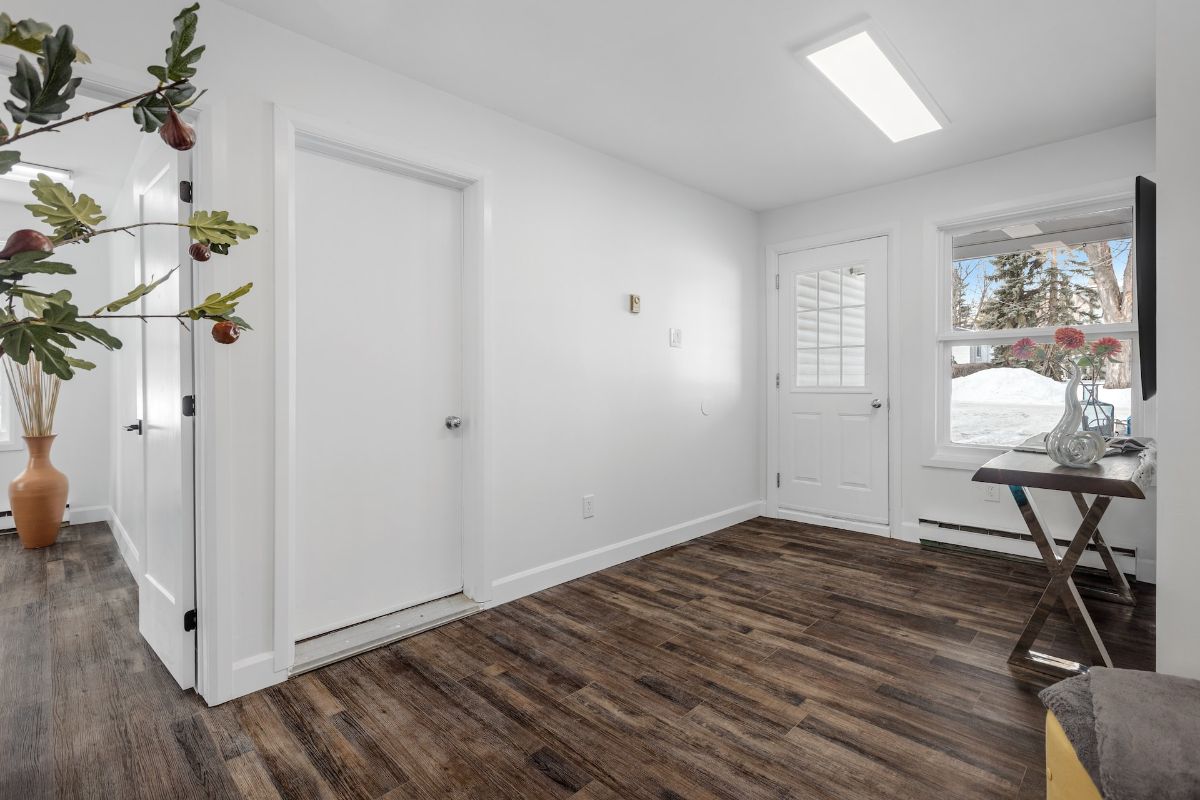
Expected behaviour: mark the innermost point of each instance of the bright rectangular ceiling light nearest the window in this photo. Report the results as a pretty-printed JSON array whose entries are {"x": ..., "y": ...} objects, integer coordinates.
[{"x": 869, "y": 71}]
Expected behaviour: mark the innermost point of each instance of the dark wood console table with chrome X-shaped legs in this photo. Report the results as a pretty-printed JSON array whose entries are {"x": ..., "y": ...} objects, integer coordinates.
[{"x": 1117, "y": 477}]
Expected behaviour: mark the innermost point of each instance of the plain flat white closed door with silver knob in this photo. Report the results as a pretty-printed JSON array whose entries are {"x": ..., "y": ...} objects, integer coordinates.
[{"x": 379, "y": 321}]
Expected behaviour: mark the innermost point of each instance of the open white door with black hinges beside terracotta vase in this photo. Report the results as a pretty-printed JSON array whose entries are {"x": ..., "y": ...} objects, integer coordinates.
[{"x": 167, "y": 586}]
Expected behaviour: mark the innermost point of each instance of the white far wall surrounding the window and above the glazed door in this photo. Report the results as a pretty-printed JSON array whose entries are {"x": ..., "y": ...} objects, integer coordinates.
[{"x": 913, "y": 207}]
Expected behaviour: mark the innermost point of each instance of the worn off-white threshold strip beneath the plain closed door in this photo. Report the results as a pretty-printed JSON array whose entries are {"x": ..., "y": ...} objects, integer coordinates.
[{"x": 326, "y": 649}]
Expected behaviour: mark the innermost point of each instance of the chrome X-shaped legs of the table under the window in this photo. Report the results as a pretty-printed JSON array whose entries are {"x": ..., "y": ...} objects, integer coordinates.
[{"x": 1061, "y": 588}]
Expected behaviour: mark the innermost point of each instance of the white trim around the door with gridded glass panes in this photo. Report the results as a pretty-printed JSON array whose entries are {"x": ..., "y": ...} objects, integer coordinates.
[{"x": 772, "y": 360}]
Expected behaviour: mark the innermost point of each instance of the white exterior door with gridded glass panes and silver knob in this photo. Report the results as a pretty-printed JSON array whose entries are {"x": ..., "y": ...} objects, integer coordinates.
[{"x": 833, "y": 368}]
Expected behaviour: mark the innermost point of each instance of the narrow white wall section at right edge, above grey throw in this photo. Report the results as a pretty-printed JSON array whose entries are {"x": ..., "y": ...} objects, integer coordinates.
[{"x": 1179, "y": 382}]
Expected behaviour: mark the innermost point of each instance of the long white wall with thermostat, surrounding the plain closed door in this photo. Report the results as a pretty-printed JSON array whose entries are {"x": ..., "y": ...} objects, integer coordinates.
[{"x": 587, "y": 399}]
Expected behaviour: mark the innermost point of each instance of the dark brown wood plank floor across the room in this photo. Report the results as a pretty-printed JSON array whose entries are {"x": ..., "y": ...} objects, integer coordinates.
[{"x": 769, "y": 660}]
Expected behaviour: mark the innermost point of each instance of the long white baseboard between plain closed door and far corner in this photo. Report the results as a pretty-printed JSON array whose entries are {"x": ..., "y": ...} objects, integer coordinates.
[{"x": 577, "y": 567}]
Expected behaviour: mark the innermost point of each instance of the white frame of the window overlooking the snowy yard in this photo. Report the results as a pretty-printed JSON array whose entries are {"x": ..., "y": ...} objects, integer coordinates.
[{"x": 950, "y": 454}]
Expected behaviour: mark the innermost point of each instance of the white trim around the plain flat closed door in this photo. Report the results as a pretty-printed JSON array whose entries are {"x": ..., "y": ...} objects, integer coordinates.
[{"x": 297, "y": 131}]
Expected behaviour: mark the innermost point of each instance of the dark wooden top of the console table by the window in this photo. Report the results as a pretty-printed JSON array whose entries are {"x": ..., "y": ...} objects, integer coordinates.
[{"x": 1118, "y": 477}]
